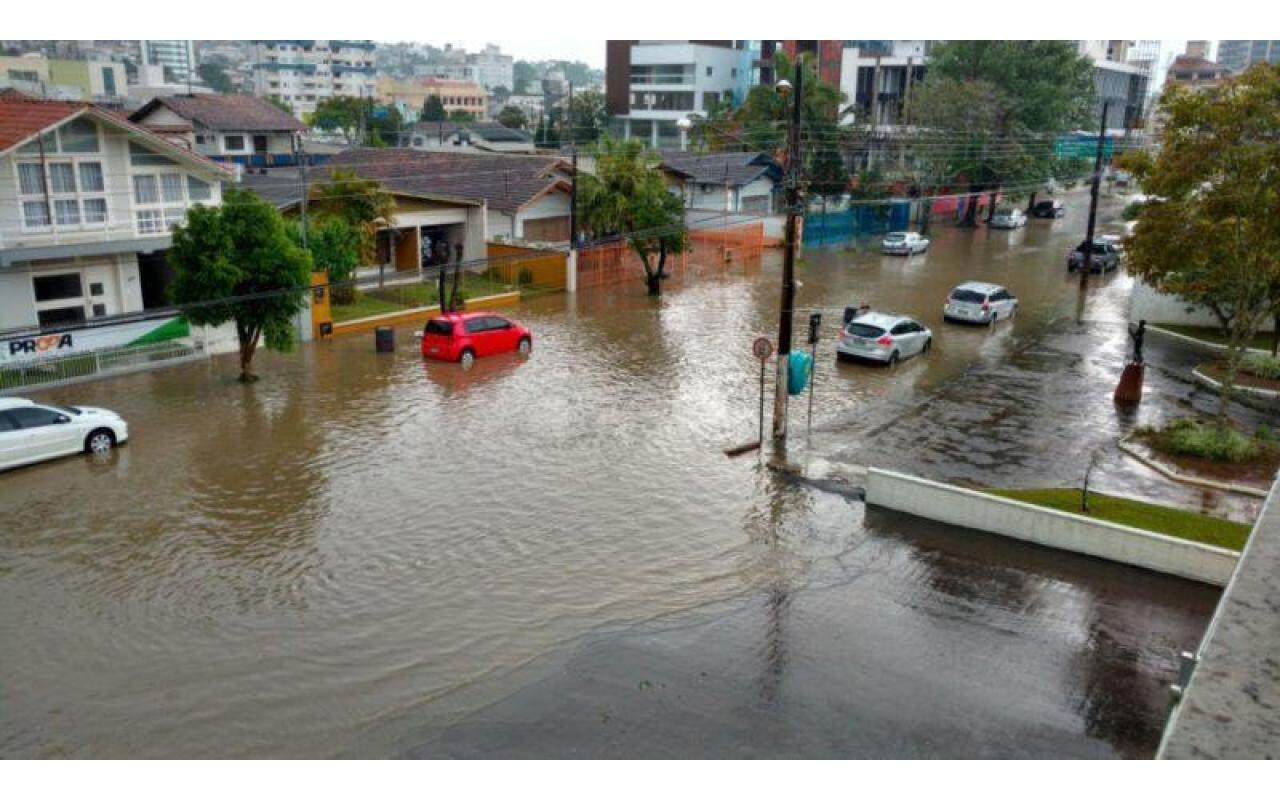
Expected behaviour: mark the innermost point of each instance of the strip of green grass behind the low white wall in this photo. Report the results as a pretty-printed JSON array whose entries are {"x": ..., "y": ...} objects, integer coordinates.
[{"x": 1160, "y": 519}]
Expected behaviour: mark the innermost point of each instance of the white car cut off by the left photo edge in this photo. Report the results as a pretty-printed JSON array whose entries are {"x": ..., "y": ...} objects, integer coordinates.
[{"x": 33, "y": 432}]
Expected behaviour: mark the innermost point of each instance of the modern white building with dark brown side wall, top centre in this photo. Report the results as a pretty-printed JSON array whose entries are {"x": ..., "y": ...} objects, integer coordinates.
[{"x": 652, "y": 85}]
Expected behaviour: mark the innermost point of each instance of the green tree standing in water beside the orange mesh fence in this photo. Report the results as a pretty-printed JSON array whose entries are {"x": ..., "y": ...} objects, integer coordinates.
[{"x": 629, "y": 198}]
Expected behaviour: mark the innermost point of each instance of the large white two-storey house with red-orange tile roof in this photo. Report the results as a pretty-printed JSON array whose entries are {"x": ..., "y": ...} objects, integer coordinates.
[{"x": 88, "y": 200}]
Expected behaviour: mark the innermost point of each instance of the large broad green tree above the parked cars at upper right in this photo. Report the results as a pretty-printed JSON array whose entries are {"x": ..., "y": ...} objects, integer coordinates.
[{"x": 991, "y": 112}]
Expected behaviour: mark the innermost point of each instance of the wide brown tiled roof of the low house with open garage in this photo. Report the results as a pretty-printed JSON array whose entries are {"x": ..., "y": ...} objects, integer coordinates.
[{"x": 506, "y": 182}]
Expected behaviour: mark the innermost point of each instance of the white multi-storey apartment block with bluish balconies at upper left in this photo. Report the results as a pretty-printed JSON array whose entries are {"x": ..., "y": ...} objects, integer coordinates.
[{"x": 305, "y": 72}]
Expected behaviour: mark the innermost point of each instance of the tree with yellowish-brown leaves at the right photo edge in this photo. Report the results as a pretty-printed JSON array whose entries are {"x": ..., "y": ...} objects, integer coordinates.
[{"x": 1212, "y": 232}]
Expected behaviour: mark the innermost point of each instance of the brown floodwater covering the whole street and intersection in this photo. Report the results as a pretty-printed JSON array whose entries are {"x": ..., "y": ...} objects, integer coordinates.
[{"x": 374, "y": 556}]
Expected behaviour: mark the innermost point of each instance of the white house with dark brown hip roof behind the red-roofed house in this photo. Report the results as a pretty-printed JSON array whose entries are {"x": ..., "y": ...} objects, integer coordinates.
[{"x": 228, "y": 129}]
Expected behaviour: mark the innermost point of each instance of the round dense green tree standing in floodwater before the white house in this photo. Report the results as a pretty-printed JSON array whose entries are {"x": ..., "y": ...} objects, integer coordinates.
[{"x": 236, "y": 263}]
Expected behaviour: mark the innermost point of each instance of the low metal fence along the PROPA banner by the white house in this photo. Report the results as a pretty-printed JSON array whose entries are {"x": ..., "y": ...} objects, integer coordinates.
[{"x": 95, "y": 364}]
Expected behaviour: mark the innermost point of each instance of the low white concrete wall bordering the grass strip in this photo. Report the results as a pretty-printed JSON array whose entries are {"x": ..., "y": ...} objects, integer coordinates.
[{"x": 1050, "y": 528}]
